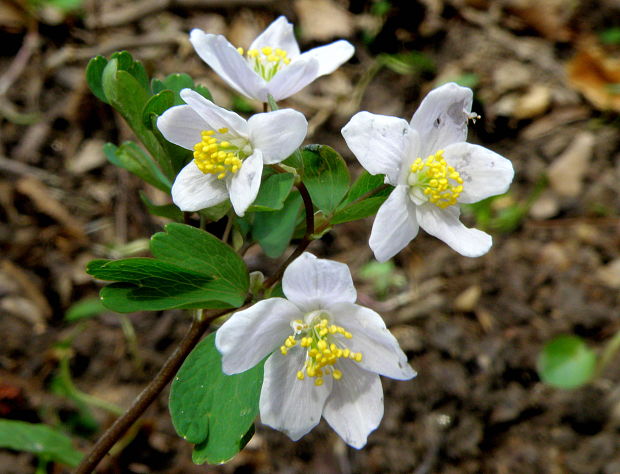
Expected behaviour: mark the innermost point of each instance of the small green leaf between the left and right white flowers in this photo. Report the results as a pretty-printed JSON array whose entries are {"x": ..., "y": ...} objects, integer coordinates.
[{"x": 325, "y": 175}]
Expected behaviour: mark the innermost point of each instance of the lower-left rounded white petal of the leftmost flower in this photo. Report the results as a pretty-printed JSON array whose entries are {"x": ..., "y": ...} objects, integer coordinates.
[{"x": 194, "y": 190}]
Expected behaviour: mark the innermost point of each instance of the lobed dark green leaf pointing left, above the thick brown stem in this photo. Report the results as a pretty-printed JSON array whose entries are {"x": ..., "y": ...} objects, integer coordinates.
[{"x": 191, "y": 269}]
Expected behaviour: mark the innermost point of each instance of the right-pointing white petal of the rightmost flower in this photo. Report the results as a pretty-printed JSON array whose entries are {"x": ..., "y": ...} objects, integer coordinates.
[{"x": 484, "y": 172}]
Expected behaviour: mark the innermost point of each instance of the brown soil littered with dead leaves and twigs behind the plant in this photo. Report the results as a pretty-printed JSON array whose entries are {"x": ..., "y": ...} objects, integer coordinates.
[{"x": 472, "y": 328}]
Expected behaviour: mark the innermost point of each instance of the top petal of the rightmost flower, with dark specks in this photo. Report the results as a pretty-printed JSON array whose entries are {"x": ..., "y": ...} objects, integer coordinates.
[{"x": 442, "y": 117}]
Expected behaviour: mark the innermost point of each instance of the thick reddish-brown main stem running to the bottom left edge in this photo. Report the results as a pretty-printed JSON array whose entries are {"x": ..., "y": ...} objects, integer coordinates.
[{"x": 150, "y": 392}]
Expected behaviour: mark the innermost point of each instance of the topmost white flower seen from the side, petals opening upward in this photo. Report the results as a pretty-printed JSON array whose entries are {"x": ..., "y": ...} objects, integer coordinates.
[{"x": 273, "y": 63}]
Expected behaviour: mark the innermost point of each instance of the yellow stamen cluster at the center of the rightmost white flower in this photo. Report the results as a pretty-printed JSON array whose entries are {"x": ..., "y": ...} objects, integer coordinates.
[{"x": 435, "y": 181}]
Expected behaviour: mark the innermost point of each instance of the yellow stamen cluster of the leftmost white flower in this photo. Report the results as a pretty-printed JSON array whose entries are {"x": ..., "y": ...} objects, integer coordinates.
[{"x": 214, "y": 155}]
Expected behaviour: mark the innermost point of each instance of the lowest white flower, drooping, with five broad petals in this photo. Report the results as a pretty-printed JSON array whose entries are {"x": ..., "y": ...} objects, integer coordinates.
[{"x": 328, "y": 352}]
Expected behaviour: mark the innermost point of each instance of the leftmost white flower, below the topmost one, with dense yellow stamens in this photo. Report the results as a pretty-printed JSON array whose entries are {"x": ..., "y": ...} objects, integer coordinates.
[{"x": 229, "y": 152}]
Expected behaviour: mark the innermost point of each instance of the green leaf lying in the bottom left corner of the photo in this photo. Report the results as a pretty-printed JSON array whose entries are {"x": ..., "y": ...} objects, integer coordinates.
[{"x": 39, "y": 439}]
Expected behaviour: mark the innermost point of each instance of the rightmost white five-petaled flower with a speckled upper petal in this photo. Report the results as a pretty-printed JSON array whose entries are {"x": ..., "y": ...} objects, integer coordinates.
[{"x": 433, "y": 169}]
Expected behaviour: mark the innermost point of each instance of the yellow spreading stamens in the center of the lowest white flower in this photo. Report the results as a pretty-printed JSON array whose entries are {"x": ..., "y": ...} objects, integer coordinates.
[{"x": 324, "y": 344}]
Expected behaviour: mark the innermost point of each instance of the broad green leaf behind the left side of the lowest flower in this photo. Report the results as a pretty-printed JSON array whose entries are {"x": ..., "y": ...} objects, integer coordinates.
[{"x": 213, "y": 410}]
